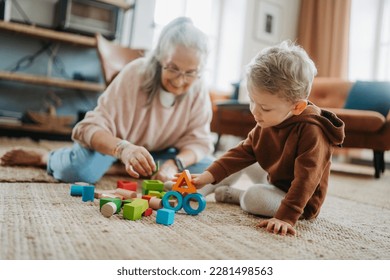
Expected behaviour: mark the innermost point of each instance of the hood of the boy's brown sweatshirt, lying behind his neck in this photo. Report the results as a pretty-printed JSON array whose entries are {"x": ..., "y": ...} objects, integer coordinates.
[{"x": 331, "y": 125}]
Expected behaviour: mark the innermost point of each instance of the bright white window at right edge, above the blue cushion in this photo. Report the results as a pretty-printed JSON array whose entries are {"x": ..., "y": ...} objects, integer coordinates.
[{"x": 370, "y": 40}]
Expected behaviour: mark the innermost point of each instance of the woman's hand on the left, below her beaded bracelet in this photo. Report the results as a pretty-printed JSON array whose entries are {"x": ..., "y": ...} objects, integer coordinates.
[{"x": 137, "y": 160}]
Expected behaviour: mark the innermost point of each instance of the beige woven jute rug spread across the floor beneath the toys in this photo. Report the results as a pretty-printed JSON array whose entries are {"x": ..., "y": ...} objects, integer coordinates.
[{"x": 40, "y": 220}]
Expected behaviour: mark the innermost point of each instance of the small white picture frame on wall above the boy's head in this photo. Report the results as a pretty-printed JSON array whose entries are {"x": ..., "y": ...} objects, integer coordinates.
[{"x": 268, "y": 21}]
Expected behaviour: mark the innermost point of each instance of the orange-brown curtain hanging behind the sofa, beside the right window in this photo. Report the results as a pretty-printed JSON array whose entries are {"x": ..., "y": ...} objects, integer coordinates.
[{"x": 324, "y": 33}]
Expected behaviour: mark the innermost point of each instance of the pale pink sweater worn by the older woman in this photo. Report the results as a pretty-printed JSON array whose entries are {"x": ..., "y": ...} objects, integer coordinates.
[{"x": 122, "y": 111}]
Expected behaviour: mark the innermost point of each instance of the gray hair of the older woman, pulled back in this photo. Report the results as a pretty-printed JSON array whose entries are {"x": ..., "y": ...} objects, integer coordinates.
[{"x": 180, "y": 31}]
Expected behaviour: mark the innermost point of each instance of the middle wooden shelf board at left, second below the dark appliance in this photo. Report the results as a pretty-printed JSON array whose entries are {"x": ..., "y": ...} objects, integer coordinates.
[{"x": 50, "y": 81}]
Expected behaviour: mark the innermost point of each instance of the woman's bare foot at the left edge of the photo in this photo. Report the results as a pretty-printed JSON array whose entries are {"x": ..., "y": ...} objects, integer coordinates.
[{"x": 25, "y": 157}]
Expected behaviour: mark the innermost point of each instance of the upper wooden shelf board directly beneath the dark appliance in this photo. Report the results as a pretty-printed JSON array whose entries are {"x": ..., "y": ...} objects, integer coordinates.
[{"x": 49, "y": 34}]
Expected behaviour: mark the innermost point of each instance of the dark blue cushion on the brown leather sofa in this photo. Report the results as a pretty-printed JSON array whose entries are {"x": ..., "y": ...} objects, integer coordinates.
[{"x": 369, "y": 95}]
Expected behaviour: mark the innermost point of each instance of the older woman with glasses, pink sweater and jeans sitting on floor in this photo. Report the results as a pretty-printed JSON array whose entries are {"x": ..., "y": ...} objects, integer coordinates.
[{"x": 156, "y": 110}]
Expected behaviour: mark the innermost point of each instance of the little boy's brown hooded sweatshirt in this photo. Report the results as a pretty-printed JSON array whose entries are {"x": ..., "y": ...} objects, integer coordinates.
[{"x": 297, "y": 156}]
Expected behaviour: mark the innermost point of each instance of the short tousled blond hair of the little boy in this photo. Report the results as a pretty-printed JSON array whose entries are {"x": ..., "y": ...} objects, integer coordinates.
[{"x": 284, "y": 69}]
